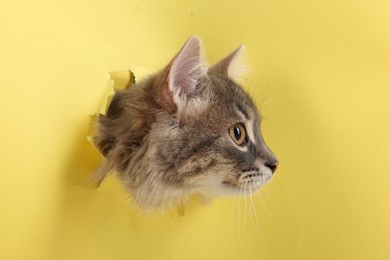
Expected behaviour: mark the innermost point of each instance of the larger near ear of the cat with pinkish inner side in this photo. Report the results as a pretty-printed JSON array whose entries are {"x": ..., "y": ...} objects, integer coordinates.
[{"x": 186, "y": 69}]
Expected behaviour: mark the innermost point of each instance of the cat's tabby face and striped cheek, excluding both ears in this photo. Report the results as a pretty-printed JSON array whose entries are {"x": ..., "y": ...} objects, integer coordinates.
[{"x": 221, "y": 149}]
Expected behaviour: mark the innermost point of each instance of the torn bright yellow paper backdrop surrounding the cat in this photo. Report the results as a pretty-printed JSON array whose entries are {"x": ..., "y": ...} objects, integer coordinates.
[{"x": 320, "y": 75}]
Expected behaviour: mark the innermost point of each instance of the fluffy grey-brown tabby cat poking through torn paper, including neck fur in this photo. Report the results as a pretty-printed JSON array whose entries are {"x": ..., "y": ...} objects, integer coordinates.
[{"x": 188, "y": 129}]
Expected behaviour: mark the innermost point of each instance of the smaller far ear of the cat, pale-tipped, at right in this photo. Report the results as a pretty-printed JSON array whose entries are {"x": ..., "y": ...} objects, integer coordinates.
[{"x": 233, "y": 65}]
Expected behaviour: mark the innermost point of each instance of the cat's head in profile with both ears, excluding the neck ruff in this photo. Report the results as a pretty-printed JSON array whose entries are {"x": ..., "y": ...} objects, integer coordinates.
[{"x": 211, "y": 136}]
